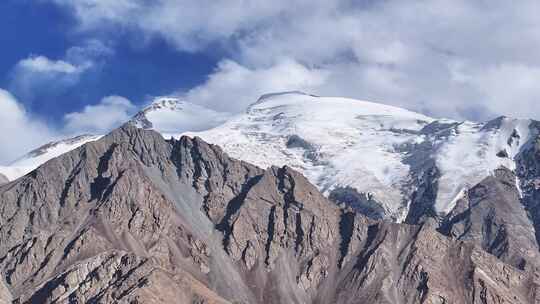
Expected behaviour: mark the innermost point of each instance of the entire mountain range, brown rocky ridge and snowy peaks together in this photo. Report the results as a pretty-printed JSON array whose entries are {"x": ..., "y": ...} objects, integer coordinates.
[{"x": 184, "y": 204}]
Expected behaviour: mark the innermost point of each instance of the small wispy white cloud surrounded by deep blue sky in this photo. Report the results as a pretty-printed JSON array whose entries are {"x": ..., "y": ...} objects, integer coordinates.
[{"x": 38, "y": 74}]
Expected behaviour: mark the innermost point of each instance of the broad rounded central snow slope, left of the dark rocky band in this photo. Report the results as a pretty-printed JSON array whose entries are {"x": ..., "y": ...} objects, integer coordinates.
[{"x": 335, "y": 142}]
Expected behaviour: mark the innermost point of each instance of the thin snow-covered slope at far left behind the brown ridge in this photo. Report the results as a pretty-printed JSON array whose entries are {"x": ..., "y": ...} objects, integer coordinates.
[{"x": 35, "y": 158}]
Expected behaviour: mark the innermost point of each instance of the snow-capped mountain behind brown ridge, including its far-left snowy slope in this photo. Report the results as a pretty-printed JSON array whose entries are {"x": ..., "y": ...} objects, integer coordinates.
[{"x": 386, "y": 161}]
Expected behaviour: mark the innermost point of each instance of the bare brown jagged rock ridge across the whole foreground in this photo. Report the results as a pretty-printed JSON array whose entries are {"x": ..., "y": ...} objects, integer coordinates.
[{"x": 132, "y": 218}]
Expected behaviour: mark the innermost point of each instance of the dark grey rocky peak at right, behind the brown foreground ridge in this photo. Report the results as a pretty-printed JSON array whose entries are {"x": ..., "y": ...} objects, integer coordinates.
[{"x": 491, "y": 216}]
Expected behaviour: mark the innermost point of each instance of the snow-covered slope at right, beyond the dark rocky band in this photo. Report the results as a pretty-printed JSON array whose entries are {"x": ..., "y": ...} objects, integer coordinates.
[{"x": 472, "y": 151}]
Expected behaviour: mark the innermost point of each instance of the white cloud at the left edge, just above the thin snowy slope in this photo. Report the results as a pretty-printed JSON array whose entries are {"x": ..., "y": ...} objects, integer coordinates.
[{"x": 20, "y": 132}]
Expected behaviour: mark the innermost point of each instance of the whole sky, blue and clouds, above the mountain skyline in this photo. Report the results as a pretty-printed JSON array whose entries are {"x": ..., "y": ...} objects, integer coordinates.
[{"x": 85, "y": 66}]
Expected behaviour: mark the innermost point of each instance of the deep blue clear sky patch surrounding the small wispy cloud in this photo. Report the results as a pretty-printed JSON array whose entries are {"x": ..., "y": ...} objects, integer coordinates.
[{"x": 133, "y": 71}]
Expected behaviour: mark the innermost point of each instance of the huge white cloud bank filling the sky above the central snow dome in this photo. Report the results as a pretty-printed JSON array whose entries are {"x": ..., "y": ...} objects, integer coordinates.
[{"x": 400, "y": 52}]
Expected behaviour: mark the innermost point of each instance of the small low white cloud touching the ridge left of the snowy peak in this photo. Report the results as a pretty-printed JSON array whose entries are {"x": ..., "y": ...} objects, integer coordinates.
[{"x": 109, "y": 113}]
